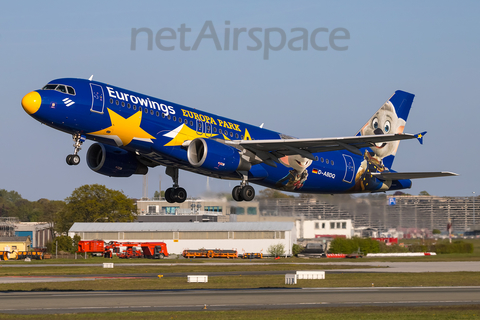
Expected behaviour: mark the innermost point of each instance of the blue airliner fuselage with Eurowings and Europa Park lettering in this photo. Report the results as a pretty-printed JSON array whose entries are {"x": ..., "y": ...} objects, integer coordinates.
[{"x": 103, "y": 113}]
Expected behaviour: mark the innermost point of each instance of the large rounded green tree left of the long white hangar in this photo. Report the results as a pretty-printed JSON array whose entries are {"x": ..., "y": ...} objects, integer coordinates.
[{"x": 94, "y": 203}]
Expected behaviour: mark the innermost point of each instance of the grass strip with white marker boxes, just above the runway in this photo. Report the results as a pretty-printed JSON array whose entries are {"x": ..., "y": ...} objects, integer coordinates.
[{"x": 258, "y": 281}]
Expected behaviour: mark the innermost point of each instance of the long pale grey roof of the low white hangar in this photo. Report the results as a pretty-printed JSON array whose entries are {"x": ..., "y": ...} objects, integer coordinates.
[{"x": 179, "y": 226}]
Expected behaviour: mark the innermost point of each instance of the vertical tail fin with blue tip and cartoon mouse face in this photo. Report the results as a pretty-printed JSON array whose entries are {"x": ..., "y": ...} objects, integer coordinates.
[{"x": 390, "y": 118}]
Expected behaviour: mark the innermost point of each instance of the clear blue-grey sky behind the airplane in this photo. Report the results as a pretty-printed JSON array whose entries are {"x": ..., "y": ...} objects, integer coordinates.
[{"x": 428, "y": 48}]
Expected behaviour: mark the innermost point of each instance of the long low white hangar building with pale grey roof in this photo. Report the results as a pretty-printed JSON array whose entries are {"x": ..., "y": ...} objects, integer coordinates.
[{"x": 178, "y": 236}]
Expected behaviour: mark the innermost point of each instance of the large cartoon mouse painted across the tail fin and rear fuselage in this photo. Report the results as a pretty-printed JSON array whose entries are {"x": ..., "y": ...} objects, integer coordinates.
[{"x": 384, "y": 121}]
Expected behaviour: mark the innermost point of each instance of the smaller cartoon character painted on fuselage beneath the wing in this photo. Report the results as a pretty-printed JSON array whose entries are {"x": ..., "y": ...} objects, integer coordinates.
[{"x": 295, "y": 177}]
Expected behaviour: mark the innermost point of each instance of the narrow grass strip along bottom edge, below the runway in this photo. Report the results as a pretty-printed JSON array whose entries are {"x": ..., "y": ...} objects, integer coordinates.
[{"x": 347, "y": 313}]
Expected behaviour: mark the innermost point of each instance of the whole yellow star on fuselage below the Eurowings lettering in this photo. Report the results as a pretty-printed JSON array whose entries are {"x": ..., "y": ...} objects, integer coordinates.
[{"x": 124, "y": 130}]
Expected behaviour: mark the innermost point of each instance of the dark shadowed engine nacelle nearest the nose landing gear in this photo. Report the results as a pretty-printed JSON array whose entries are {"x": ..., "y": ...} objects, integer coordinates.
[{"x": 113, "y": 161}]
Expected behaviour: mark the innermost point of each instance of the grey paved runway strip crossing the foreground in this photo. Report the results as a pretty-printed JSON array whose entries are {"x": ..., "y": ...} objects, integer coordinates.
[{"x": 249, "y": 299}]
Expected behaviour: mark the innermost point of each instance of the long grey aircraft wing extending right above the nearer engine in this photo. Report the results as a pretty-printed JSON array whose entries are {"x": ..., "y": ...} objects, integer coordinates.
[{"x": 269, "y": 151}]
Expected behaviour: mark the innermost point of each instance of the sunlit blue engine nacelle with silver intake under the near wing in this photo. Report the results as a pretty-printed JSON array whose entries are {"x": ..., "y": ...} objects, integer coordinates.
[{"x": 215, "y": 156}]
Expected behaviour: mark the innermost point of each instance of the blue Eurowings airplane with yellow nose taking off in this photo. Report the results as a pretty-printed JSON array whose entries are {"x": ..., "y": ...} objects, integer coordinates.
[{"x": 134, "y": 132}]
